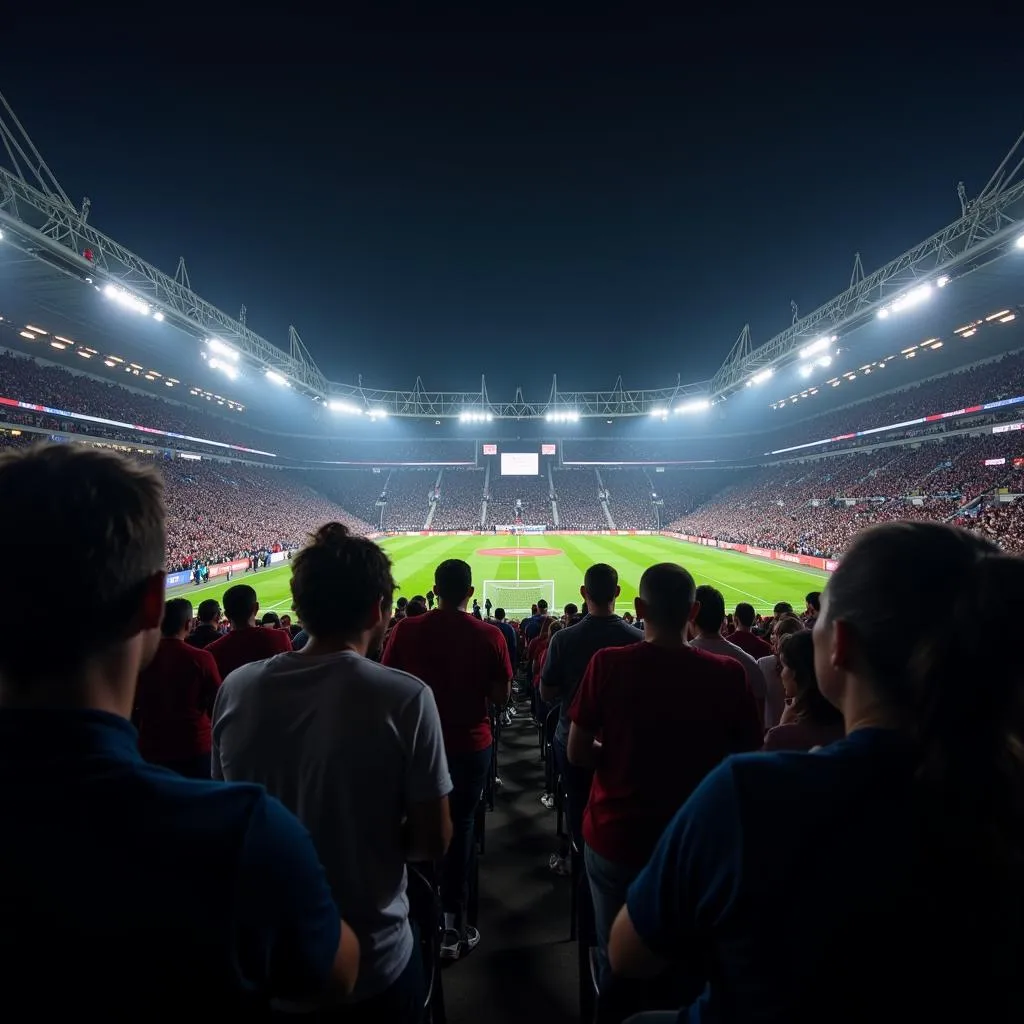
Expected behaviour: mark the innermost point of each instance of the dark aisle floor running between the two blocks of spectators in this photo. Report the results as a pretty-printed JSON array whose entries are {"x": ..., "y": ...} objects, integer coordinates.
[{"x": 524, "y": 971}]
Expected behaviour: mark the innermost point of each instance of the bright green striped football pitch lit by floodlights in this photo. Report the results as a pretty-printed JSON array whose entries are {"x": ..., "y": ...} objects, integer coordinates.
[{"x": 562, "y": 559}]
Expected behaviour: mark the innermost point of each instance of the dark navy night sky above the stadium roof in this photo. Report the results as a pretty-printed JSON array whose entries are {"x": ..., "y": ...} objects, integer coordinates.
[{"x": 486, "y": 199}]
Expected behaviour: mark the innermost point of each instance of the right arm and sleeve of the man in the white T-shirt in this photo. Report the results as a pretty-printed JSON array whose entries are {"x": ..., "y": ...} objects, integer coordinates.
[{"x": 429, "y": 822}]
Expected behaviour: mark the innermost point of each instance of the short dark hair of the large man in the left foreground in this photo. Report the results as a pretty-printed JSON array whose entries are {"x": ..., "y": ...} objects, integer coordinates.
[{"x": 92, "y": 519}]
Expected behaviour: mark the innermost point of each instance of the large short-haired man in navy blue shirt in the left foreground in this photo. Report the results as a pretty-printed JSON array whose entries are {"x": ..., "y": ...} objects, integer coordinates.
[{"x": 127, "y": 890}]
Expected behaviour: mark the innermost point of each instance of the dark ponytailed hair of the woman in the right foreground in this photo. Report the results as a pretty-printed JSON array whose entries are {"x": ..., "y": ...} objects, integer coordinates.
[{"x": 913, "y": 595}]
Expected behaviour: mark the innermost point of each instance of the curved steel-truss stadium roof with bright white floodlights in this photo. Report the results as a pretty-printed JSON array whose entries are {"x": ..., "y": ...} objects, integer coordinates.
[{"x": 54, "y": 257}]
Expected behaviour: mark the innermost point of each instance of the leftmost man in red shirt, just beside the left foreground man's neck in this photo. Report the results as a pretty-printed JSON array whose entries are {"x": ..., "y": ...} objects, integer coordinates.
[{"x": 175, "y": 699}]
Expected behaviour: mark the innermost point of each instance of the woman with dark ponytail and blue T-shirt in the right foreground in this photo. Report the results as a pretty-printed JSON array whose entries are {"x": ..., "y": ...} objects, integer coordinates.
[{"x": 881, "y": 878}]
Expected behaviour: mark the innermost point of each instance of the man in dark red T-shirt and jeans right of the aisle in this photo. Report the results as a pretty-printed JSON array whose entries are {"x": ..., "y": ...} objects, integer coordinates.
[{"x": 653, "y": 719}]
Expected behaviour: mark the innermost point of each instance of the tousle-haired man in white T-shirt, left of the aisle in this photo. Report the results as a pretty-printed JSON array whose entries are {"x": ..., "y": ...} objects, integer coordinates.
[{"x": 370, "y": 780}]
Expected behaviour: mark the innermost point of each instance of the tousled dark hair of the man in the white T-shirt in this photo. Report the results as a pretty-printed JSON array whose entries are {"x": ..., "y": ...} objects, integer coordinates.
[{"x": 336, "y": 579}]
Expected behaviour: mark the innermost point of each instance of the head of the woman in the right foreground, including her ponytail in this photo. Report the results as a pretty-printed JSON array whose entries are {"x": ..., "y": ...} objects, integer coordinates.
[{"x": 906, "y": 638}]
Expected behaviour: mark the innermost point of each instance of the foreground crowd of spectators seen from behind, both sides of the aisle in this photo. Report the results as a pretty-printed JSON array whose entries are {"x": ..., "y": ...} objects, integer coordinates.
[{"x": 253, "y": 842}]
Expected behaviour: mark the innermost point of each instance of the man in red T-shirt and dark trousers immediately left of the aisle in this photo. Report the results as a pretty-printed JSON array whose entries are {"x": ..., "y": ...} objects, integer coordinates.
[{"x": 466, "y": 663}]
